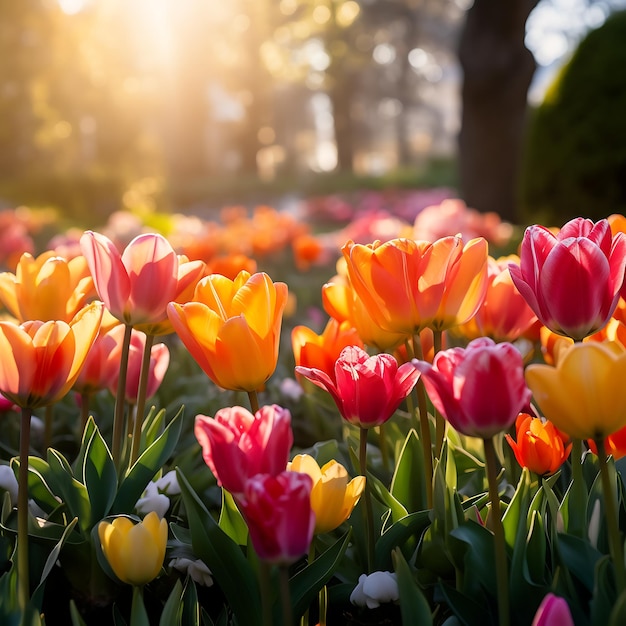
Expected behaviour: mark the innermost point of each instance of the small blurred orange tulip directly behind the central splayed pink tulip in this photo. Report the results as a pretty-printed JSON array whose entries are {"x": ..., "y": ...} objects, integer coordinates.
[{"x": 321, "y": 351}]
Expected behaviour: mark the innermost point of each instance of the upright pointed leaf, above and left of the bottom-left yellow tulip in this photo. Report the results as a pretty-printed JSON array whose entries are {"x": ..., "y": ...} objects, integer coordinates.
[{"x": 99, "y": 475}]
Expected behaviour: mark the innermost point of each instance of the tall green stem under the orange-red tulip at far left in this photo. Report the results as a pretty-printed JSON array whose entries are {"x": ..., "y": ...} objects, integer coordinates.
[{"x": 23, "y": 578}]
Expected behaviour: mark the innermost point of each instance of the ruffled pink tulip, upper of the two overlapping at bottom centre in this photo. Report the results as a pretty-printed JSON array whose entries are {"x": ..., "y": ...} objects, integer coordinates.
[{"x": 236, "y": 445}]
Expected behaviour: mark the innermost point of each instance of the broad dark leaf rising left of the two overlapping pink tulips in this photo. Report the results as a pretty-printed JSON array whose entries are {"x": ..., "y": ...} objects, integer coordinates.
[{"x": 224, "y": 558}]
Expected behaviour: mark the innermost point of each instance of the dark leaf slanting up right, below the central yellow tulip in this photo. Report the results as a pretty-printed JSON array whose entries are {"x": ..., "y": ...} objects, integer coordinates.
[{"x": 306, "y": 584}]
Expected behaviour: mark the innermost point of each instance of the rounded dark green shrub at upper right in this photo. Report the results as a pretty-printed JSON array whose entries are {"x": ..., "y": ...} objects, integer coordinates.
[{"x": 575, "y": 157}]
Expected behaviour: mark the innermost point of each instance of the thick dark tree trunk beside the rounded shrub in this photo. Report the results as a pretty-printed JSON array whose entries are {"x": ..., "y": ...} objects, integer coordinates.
[{"x": 497, "y": 70}]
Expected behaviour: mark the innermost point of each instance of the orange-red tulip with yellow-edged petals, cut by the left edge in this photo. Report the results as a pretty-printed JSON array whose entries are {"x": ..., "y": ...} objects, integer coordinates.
[{"x": 42, "y": 360}]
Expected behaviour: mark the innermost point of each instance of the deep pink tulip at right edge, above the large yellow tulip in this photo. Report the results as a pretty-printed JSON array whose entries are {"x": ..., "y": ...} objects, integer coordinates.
[{"x": 572, "y": 280}]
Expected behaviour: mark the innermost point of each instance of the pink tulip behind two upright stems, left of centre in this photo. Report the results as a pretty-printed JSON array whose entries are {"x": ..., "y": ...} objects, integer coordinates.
[{"x": 159, "y": 362}]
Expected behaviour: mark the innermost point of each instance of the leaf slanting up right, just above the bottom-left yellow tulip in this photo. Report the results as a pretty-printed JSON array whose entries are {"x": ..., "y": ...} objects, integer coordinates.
[{"x": 146, "y": 466}]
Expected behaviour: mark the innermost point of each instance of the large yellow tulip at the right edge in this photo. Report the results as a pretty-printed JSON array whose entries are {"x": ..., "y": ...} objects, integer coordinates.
[{"x": 583, "y": 395}]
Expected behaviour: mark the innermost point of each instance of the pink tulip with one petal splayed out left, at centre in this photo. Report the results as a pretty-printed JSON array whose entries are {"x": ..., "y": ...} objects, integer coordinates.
[{"x": 367, "y": 389}]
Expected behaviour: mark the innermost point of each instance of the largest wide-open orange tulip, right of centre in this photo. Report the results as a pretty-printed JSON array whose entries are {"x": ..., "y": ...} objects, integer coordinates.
[{"x": 407, "y": 285}]
